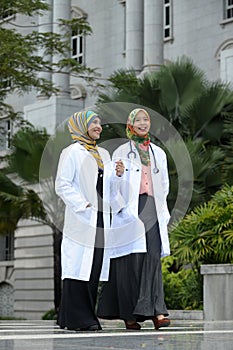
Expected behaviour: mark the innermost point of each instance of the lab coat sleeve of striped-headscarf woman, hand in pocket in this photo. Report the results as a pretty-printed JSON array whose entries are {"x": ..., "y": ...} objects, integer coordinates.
[{"x": 64, "y": 186}]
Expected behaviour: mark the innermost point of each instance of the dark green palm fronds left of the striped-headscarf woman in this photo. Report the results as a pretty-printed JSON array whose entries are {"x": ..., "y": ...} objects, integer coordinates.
[{"x": 18, "y": 201}]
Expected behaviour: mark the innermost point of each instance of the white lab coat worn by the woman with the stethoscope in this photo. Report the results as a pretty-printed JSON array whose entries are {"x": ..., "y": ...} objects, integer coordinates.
[{"x": 128, "y": 232}]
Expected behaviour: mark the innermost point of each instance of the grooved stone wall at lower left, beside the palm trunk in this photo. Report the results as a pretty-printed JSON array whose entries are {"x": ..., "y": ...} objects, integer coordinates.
[{"x": 33, "y": 270}]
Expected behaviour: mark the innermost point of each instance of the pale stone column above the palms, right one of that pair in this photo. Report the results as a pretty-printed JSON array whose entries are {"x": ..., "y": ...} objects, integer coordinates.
[{"x": 153, "y": 35}]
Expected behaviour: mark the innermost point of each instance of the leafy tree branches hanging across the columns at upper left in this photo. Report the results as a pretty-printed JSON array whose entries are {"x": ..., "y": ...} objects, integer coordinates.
[{"x": 24, "y": 56}]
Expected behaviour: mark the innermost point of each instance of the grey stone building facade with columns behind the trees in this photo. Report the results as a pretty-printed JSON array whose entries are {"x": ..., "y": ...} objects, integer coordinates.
[{"x": 131, "y": 34}]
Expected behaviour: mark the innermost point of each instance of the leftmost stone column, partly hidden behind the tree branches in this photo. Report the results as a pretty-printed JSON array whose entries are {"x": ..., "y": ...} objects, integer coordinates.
[{"x": 45, "y": 23}]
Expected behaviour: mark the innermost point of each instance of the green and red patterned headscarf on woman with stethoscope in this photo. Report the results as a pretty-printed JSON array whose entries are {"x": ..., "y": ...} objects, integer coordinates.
[{"x": 141, "y": 143}]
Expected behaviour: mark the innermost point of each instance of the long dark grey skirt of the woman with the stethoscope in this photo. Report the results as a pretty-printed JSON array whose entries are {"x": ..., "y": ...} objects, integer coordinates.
[{"x": 135, "y": 287}]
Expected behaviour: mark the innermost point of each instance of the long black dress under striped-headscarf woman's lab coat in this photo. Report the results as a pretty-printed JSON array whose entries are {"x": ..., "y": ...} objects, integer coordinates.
[{"x": 78, "y": 302}]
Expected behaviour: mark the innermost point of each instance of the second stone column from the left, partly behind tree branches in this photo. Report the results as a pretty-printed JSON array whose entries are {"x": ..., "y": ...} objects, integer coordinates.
[{"x": 61, "y": 10}]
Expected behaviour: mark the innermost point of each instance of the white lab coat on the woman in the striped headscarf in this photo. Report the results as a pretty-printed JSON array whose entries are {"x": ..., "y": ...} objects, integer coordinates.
[{"x": 76, "y": 184}]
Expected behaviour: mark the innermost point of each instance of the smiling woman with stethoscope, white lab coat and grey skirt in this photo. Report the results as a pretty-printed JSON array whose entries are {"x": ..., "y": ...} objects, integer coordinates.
[{"x": 134, "y": 292}]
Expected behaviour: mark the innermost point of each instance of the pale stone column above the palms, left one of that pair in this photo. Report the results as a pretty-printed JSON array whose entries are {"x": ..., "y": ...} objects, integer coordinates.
[{"x": 134, "y": 34}]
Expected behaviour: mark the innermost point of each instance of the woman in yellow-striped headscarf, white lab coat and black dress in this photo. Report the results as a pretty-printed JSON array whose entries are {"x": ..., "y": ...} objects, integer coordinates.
[{"x": 81, "y": 182}]
